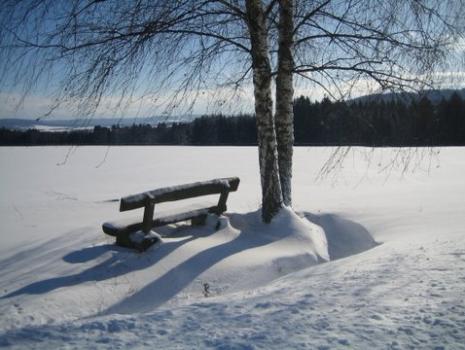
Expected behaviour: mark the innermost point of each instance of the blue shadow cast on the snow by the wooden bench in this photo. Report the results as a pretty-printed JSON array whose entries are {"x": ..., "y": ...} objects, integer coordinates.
[{"x": 121, "y": 262}]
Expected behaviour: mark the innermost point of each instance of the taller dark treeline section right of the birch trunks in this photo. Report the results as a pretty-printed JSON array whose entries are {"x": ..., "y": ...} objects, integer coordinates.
[{"x": 381, "y": 123}]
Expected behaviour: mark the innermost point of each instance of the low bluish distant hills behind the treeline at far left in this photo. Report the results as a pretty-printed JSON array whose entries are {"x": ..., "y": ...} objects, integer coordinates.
[{"x": 88, "y": 123}]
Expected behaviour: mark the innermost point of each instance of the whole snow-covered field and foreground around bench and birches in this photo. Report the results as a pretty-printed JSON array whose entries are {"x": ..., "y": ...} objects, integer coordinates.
[{"x": 374, "y": 258}]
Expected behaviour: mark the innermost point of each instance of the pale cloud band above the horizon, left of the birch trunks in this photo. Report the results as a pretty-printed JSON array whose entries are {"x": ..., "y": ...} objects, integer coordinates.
[{"x": 12, "y": 105}]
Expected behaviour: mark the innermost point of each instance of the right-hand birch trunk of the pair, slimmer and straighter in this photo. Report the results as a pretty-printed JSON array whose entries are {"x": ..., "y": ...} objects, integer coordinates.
[{"x": 284, "y": 98}]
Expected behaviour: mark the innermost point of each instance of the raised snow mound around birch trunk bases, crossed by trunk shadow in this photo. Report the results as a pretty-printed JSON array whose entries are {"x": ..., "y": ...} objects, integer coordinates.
[{"x": 243, "y": 254}]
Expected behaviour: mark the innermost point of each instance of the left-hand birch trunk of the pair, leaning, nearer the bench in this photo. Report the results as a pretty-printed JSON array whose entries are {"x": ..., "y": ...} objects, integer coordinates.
[{"x": 272, "y": 199}]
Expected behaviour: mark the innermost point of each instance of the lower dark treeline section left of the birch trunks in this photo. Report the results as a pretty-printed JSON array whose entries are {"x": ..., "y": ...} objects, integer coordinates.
[{"x": 206, "y": 130}]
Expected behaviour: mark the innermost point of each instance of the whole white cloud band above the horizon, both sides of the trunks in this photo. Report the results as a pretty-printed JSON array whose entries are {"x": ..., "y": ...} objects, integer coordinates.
[{"x": 208, "y": 101}]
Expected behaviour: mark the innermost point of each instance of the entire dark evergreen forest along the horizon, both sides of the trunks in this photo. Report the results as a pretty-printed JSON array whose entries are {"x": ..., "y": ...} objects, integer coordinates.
[{"x": 417, "y": 122}]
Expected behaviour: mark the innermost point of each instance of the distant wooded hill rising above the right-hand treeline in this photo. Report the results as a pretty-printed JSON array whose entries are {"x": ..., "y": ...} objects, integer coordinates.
[{"x": 435, "y": 96}]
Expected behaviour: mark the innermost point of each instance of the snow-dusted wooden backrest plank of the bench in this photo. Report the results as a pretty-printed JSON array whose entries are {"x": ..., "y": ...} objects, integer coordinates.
[{"x": 179, "y": 192}]
